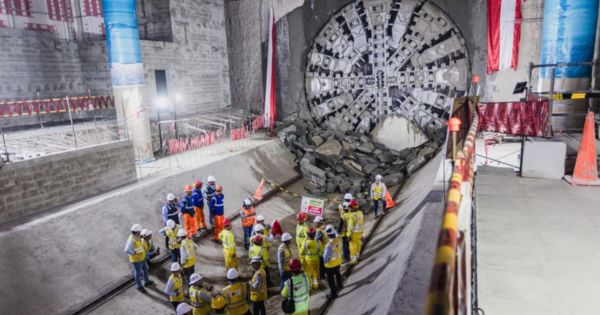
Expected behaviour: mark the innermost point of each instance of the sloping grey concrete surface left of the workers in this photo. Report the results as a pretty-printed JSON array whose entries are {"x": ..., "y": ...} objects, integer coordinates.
[{"x": 67, "y": 257}]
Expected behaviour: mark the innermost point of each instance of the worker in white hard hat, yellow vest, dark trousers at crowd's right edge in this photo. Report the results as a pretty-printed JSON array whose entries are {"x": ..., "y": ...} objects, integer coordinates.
[{"x": 333, "y": 259}]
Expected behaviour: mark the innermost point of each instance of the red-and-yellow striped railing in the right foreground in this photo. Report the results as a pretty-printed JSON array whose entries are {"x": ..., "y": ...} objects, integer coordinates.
[{"x": 449, "y": 290}]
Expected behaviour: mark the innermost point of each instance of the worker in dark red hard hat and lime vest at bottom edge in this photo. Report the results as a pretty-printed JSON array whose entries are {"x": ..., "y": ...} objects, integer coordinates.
[{"x": 300, "y": 284}]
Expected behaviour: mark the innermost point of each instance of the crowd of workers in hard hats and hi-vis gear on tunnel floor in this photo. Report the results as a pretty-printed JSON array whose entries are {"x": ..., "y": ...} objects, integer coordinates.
[{"x": 321, "y": 250}]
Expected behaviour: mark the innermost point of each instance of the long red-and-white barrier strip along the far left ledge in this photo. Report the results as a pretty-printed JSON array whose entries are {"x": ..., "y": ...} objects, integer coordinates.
[{"x": 55, "y": 105}]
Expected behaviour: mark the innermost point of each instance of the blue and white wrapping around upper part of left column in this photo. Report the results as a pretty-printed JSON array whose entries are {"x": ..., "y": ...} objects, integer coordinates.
[{"x": 123, "y": 42}]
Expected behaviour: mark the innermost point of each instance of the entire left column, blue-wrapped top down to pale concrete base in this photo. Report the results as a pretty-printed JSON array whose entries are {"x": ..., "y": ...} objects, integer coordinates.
[{"x": 127, "y": 73}]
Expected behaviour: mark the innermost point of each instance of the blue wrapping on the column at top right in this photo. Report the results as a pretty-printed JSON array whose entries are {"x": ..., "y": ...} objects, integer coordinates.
[{"x": 569, "y": 33}]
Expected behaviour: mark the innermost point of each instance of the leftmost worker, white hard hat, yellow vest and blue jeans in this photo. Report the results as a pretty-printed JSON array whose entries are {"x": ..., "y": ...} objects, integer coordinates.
[{"x": 137, "y": 256}]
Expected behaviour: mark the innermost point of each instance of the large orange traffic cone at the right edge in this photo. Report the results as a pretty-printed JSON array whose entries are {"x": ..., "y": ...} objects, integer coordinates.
[{"x": 586, "y": 166}]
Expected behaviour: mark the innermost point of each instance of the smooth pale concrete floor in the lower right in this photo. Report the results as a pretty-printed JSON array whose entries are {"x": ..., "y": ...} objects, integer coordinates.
[{"x": 537, "y": 245}]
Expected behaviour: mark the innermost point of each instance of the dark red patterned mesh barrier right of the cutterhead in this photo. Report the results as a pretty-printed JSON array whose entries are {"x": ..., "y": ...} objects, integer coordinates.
[{"x": 514, "y": 118}]
